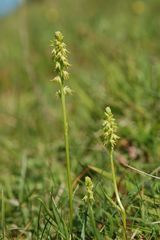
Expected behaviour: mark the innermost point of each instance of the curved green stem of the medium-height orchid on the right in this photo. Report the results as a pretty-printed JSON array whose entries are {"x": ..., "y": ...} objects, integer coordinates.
[{"x": 123, "y": 213}]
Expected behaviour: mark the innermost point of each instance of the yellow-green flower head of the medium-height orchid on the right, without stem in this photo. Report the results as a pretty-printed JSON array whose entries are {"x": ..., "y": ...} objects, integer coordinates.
[{"x": 110, "y": 128}]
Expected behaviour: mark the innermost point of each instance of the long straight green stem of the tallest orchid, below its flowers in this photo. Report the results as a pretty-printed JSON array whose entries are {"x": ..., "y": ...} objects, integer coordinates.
[{"x": 65, "y": 122}]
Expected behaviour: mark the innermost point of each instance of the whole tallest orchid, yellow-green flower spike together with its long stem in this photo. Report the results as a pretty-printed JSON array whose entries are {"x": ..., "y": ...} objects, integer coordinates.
[{"x": 61, "y": 65}]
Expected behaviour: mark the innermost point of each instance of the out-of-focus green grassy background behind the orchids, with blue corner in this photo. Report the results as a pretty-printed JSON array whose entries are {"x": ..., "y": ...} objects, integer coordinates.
[{"x": 115, "y": 57}]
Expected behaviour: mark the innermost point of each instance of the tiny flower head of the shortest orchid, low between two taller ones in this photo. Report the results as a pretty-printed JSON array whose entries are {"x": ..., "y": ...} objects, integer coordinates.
[{"x": 89, "y": 190}]
